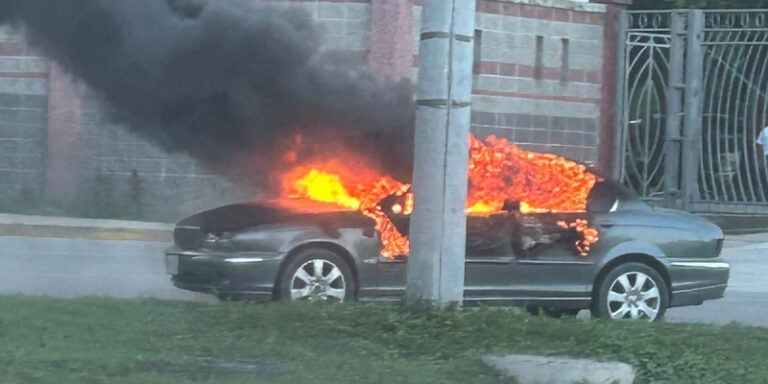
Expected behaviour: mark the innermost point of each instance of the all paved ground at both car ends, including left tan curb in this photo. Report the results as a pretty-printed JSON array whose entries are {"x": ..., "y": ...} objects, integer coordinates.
[{"x": 66, "y": 257}]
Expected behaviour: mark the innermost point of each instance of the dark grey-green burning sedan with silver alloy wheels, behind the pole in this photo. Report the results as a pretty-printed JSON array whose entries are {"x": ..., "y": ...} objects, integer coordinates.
[{"x": 646, "y": 259}]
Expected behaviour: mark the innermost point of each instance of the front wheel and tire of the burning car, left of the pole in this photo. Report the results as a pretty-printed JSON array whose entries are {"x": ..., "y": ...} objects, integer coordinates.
[{"x": 317, "y": 275}]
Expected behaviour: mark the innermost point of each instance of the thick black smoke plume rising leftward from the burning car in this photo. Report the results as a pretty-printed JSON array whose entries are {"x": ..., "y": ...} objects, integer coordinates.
[{"x": 228, "y": 82}]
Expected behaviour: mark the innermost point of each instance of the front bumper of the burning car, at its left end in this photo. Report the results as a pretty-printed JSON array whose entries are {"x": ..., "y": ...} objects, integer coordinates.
[{"x": 249, "y": 275}]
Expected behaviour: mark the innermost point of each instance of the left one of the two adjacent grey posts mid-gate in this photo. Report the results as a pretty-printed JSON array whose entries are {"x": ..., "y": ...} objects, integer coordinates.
[{"x": 675, "y": 87}]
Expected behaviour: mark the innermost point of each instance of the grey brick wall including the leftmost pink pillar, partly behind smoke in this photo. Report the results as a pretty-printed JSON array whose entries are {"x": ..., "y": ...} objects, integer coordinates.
[{"x": 116, "y": 171}]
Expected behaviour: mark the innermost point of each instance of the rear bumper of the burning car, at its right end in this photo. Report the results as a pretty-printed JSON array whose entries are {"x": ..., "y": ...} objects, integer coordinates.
[{"x": 697, "y": 280}]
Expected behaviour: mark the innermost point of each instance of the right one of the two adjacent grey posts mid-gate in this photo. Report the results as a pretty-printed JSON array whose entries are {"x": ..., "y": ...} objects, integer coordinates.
[{"x": 694, "y": 68}]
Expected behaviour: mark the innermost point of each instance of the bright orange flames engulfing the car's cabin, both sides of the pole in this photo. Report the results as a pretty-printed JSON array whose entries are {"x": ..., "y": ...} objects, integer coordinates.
[{"x": 498, "y": 171}]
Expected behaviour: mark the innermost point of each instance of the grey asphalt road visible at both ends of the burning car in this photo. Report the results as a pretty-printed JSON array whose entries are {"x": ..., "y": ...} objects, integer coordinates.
[{"x": 61, "y": 267}]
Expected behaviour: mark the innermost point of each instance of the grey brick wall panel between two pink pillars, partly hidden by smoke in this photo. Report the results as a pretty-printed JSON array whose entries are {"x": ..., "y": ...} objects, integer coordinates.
[{"x": 116, "y": 165}]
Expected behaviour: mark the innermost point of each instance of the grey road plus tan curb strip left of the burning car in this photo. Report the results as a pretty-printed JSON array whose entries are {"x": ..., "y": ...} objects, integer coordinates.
[{"x": 66, "y": 257}]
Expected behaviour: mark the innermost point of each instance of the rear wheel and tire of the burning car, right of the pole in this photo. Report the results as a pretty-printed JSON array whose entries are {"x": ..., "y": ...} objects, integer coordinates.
[{"x": 631, "y": 291}]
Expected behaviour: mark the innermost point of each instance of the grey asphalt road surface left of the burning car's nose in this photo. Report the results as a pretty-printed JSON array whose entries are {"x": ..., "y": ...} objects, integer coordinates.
[{"x": 66, "y": 268}]
